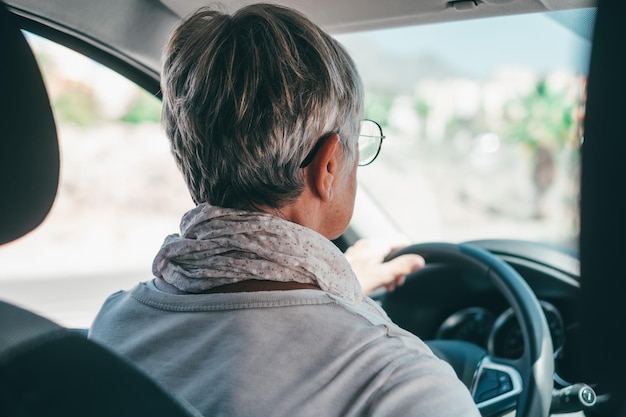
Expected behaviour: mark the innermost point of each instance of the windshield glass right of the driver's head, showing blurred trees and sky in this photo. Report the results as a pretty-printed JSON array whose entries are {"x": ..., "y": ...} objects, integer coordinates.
[{"x": 483, "y": 131}]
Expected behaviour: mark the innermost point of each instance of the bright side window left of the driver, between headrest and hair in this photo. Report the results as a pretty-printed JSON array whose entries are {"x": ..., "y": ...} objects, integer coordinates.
[{"x": 119, "y": 195}]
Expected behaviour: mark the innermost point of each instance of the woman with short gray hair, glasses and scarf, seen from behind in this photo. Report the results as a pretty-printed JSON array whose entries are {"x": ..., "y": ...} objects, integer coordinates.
[{"x": 253, "y": 311}]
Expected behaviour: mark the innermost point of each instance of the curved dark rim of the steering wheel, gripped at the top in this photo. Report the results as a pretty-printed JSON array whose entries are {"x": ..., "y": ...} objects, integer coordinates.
[{"x": 536, "y": 366}]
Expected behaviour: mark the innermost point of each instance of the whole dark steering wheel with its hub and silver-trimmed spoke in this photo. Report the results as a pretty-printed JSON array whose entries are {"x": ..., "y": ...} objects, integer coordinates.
[{"x": 497, "y": 384}]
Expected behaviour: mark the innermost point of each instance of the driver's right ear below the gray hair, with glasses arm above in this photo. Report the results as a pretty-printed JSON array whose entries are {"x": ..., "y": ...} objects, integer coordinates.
[{"x": 325, "y": 167}]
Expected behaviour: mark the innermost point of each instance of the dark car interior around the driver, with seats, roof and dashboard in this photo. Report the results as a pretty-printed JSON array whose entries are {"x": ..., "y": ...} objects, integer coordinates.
[{"x": 49, "y": 369}]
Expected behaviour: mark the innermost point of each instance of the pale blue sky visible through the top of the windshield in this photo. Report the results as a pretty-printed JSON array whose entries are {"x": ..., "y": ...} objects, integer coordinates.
[{"x": 534, "y": 40}]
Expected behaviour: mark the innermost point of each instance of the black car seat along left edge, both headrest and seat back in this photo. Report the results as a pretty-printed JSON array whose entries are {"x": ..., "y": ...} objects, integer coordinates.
[{"x": 45, "y": 369}]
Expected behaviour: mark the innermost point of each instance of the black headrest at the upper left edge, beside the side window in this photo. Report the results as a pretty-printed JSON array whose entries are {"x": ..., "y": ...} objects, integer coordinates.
[{"x": 29, "y": 150}]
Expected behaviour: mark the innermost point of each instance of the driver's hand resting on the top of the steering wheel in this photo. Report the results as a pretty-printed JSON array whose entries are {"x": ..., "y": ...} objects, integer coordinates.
[{"x": 366, "y": 257}]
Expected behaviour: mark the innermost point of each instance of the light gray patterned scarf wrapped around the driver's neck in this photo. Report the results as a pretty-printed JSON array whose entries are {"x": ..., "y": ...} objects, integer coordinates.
[{"x": 219, "y": 246}]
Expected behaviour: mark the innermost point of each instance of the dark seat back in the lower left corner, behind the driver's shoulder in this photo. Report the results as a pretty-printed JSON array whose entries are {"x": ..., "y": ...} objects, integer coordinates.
[{"x": 47, "y": 370}]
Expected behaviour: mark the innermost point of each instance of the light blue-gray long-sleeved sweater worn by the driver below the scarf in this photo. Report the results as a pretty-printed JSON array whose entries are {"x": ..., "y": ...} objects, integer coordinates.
[{"x": 280, "y": 353}]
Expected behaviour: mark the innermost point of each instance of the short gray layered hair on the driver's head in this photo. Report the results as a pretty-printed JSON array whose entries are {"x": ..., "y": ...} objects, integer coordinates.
[{"x": 247, "y": 96}]
